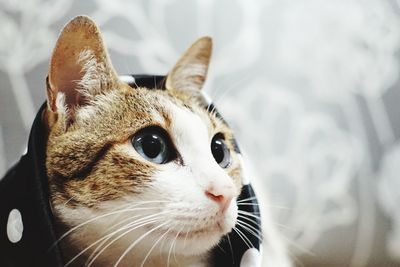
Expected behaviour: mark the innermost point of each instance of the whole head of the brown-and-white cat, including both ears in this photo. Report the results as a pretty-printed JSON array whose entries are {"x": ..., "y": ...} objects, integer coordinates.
[{"x": 135, "y": 171}]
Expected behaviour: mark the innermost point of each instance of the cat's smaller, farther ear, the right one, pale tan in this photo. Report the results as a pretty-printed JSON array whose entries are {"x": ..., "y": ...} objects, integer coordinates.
[{"x": 190, "y": 72}]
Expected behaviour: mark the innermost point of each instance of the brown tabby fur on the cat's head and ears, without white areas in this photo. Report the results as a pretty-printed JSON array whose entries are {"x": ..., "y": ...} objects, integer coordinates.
[{"x": 87, "y": 133}]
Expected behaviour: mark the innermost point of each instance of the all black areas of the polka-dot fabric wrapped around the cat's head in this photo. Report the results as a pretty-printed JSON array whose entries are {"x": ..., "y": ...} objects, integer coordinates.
[{"x": 25, "y": 188}]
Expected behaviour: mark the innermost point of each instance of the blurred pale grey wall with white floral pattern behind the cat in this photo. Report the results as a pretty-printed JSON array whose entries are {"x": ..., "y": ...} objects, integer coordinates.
[{"x": 311, "y": 88}]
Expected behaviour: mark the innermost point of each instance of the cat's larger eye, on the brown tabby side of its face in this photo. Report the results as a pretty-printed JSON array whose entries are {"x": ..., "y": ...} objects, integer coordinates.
[{"x": 153, "y": 145}]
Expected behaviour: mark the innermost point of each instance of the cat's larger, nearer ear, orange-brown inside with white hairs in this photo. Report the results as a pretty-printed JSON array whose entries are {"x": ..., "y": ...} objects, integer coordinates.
[{"x": 80, "y": 67}]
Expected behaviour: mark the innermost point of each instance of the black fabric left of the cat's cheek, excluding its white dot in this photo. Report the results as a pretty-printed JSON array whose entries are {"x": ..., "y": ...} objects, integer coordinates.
[{"x": 25, "y": 188}]
